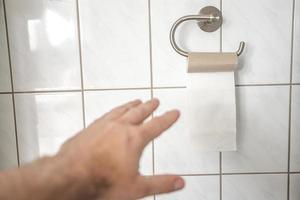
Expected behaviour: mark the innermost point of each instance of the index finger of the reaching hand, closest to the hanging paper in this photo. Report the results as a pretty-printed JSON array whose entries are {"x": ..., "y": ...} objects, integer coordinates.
[{"x": 157, "y": 125}]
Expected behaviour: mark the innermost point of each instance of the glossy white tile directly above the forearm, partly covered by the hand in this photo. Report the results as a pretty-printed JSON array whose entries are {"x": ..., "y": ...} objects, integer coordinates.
[{"x": 45, "y": 121}]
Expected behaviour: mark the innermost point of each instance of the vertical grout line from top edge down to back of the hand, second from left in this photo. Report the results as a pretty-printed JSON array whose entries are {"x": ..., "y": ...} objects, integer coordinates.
[{"x": 80, "y": 63}]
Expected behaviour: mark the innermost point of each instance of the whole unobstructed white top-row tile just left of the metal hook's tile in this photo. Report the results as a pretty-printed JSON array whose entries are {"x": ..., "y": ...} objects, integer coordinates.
[{"x": 115, "y": 43}]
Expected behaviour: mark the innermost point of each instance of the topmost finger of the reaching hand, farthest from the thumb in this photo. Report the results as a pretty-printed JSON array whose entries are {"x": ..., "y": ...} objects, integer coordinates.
[{"x": 120, "y": 110}]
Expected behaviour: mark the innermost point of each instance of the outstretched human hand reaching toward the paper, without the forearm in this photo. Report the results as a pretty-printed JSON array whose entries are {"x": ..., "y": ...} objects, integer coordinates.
[{"x": 106, "y": 154}]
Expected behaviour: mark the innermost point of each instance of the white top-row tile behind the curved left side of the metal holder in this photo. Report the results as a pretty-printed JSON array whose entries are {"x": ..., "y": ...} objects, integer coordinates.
[{"x": 169, "y": 68}]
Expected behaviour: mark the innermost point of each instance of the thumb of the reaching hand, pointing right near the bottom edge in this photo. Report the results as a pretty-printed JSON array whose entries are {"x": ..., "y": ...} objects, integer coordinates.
[{"x": 150, "y": 185}]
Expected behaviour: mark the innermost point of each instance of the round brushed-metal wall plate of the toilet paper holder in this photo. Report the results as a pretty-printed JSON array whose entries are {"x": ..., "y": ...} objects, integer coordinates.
[{"x": 215, "y": 21}]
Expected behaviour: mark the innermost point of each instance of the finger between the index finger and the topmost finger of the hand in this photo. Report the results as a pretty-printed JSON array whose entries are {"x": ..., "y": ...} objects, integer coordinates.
[{"x": 139, "y": 113}]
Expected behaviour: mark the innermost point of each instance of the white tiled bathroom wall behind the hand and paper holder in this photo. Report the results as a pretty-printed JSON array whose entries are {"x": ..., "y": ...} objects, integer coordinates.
[{"x": 70, "y": 61}]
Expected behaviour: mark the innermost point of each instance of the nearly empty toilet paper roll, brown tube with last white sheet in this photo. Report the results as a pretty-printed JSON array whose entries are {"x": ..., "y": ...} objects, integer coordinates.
[{"x": 211, "y": 106}]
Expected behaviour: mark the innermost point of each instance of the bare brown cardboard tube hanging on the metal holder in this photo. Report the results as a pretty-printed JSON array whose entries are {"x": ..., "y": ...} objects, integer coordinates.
[{"x": 212, "y": 62}]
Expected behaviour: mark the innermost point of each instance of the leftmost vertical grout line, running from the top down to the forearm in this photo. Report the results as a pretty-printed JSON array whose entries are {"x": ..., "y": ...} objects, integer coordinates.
[{"x": 12, "y": 83}]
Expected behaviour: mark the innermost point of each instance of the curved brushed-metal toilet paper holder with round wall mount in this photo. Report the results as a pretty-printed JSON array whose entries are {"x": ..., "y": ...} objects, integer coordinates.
[{"x": 209, "y": 19}]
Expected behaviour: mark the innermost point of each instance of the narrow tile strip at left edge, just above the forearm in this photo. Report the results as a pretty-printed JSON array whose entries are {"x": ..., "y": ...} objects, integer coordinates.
[{"x": 8, "y": 148}]
